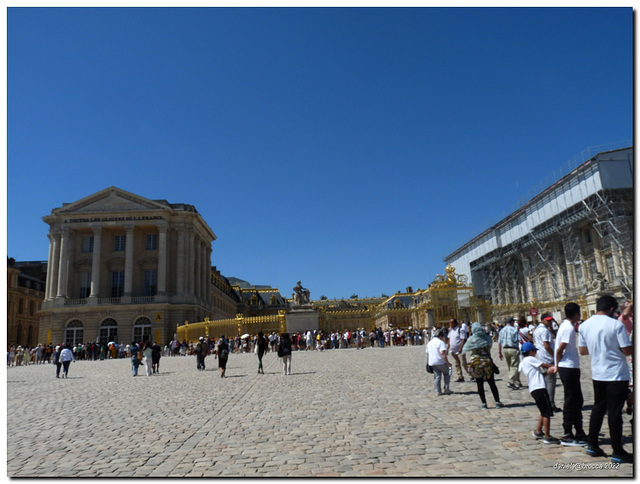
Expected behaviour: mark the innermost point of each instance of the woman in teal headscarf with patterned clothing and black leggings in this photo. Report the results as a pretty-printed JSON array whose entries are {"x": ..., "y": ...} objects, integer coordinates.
[{"x": 480, "y": 363}]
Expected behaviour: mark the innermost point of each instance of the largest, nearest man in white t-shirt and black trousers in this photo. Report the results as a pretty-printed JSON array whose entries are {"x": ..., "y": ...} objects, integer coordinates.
[{"x": 606, "y": 340}]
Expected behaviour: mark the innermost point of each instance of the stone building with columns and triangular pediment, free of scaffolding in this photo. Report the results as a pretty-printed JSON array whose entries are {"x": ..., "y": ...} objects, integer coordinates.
[{"x": 123, "y": 268}]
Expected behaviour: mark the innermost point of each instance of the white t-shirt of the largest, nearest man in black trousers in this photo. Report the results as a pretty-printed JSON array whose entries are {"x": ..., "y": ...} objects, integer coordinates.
[{"x": 603, "y": 337}]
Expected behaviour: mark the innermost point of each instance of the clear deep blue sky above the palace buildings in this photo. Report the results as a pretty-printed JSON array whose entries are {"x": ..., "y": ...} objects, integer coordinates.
[{"x": 351, "y": 149}]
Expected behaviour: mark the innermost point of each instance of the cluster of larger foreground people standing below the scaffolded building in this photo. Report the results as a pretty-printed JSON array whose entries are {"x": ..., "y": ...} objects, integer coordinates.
[{"x": 541, "y": 352}]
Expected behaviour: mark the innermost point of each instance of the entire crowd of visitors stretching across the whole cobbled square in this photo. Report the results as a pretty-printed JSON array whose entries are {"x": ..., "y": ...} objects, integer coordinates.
[{"x": 540, "y": 351}]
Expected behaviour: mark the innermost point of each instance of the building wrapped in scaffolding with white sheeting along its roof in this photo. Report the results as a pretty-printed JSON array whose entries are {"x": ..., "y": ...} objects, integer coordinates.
[{"x": 571, "y": 242}]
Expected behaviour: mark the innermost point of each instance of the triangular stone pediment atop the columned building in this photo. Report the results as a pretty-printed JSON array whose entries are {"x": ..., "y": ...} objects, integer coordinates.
[{"x": 111, "y": 200}]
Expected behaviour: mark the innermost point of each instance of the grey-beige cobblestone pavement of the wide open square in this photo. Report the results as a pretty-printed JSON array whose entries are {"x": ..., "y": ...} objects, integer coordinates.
[{"x": 346, "y": 412}]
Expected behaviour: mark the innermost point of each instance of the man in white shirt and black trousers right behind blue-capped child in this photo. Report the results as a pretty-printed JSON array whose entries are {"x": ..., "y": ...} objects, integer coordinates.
[{"x": 568, "y": 363}]
